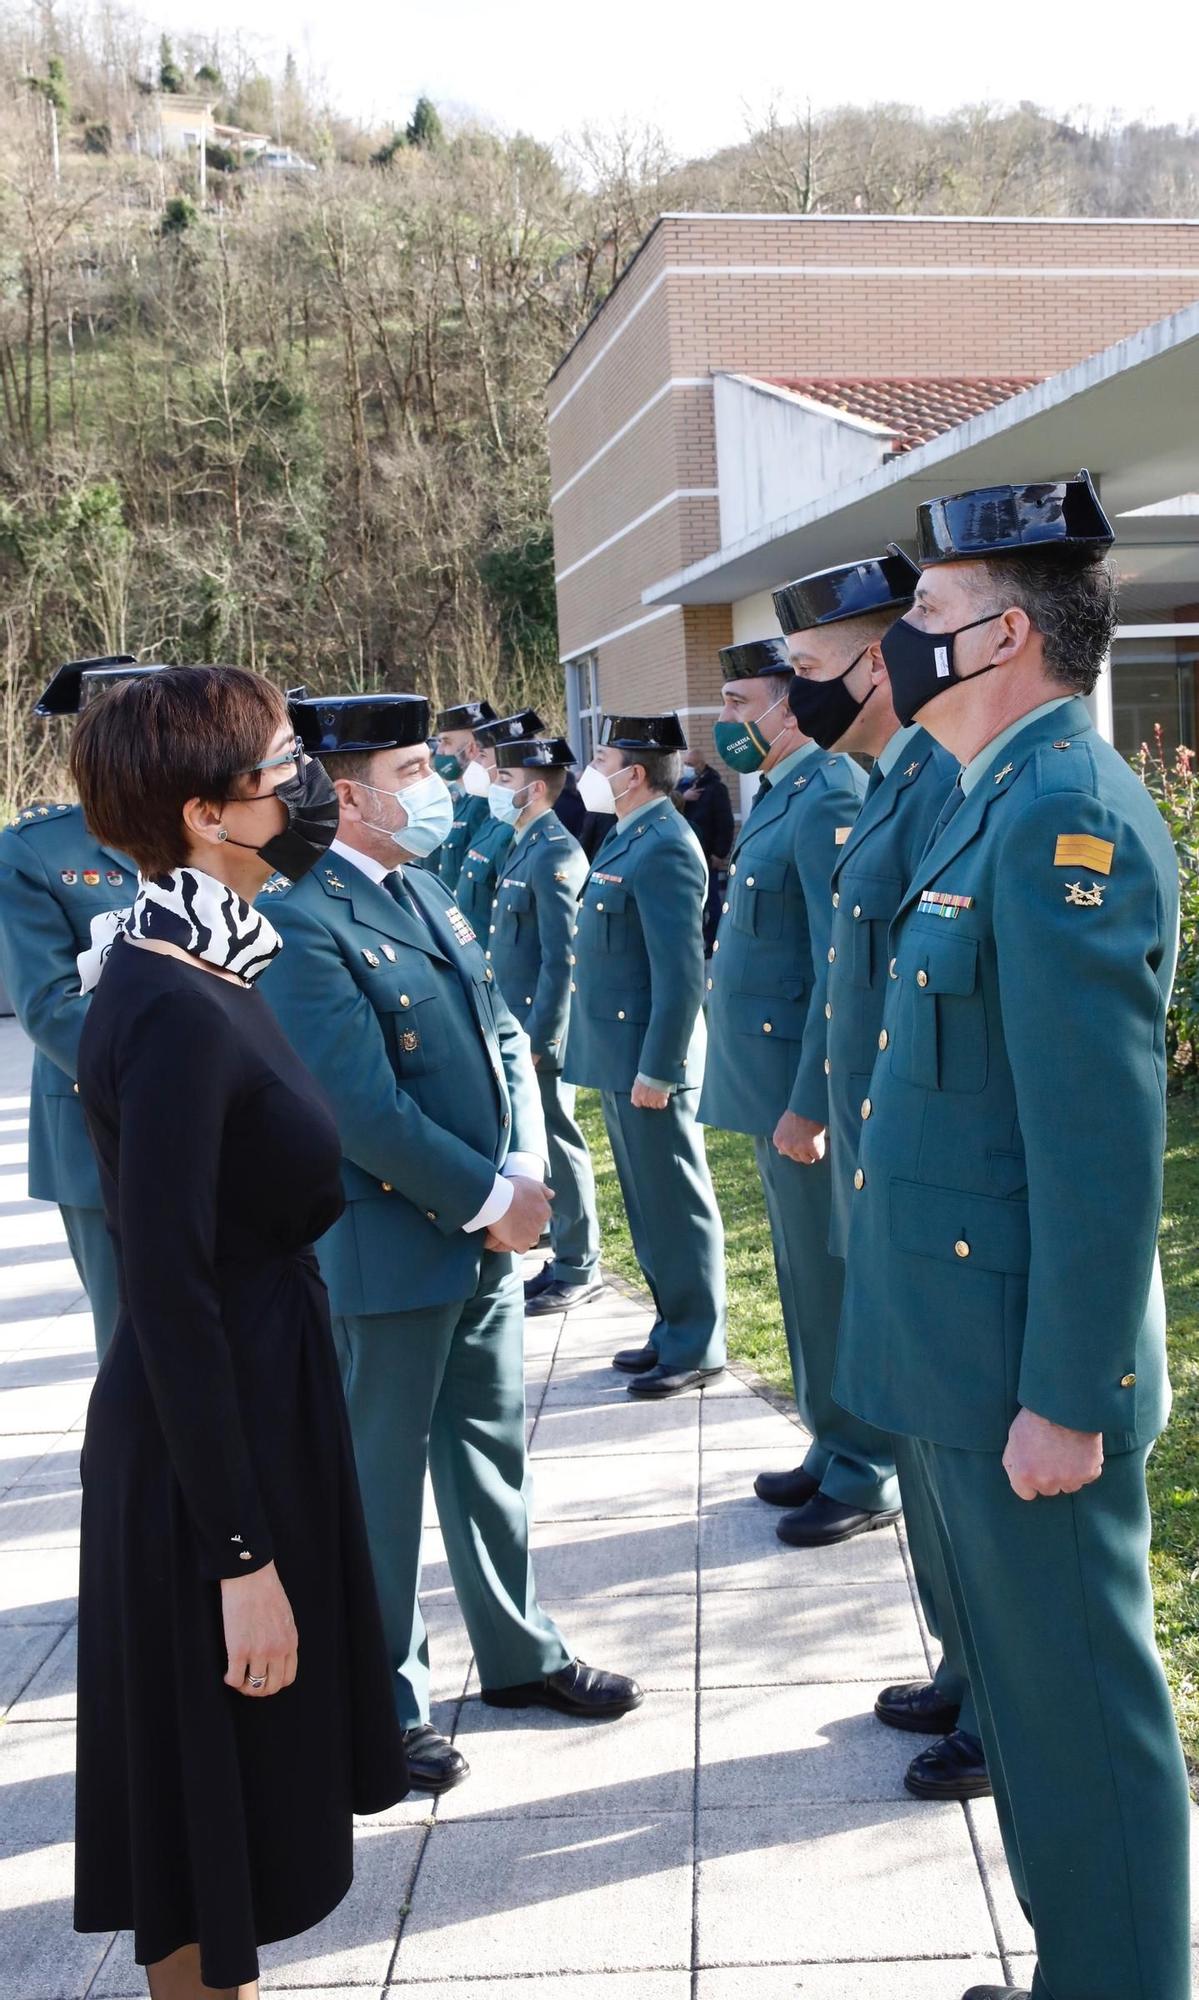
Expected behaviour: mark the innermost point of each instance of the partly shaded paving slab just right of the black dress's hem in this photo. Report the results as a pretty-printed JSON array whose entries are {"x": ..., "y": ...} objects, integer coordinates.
[{"x": 549, "y": 1897}]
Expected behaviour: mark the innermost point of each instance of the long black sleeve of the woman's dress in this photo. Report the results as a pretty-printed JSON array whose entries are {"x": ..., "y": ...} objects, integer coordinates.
[{"x": 177, "y": 1081}]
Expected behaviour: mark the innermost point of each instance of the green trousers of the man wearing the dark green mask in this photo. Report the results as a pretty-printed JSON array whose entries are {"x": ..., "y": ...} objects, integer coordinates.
[{"x": 850, "y": 1459}]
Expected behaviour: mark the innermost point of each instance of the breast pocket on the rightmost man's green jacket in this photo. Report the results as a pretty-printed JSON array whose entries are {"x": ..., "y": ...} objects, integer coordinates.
[{"x": 942, "y": 1021}]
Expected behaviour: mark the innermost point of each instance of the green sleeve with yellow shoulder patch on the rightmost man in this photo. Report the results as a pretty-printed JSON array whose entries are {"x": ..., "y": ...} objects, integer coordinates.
[{"x": 1082, "y": 991}]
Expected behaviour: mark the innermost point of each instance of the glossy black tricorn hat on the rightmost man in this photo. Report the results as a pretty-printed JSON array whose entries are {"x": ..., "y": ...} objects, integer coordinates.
[{"x": 1000, "y": 521}]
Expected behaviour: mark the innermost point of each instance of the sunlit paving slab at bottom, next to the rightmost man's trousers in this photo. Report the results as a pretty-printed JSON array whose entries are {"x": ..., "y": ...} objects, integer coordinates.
[{"x": 832, "y": 1883}]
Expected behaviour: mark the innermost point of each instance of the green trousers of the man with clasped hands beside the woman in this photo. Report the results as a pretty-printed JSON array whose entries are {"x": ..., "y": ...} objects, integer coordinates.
[{"x": 445, "y": 1387}]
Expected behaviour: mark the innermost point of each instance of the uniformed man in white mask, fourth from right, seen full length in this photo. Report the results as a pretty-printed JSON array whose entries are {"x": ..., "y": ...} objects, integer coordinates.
[{"x": 638, "y": 1037}]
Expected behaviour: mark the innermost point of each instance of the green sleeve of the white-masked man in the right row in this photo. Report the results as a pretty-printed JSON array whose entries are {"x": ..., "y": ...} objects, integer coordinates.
[{"x": 670, "y": 887}]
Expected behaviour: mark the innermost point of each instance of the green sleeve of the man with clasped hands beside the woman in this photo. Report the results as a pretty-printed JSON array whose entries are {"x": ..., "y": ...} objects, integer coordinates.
[{"x": 339, "y": 1035}]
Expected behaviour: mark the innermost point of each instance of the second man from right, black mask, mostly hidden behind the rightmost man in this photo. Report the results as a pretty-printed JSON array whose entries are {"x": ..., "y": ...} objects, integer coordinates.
[{"x": 842, "y": 699}]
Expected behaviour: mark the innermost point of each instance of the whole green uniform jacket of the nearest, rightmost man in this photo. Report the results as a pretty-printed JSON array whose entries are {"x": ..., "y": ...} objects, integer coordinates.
[{"x": 1004, "y": 1237}]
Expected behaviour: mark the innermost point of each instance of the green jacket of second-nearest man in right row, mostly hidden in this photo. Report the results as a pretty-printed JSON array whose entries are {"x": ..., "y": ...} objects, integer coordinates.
[{"x": 874, "y": 867}]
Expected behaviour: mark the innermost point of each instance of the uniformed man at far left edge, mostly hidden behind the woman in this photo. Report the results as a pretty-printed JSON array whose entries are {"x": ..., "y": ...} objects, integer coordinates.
[{"x": 55, "y": 879}]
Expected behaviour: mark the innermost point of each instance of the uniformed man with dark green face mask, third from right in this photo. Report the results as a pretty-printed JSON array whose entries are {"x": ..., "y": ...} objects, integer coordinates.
[{"x": 766, "y": 1071}]
